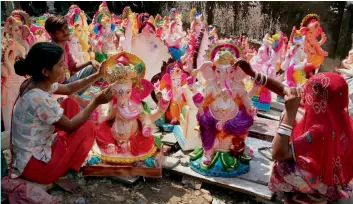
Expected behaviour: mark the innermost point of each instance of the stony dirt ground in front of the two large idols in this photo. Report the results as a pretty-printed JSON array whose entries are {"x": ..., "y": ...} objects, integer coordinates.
[{"x": 169, "y": 189}]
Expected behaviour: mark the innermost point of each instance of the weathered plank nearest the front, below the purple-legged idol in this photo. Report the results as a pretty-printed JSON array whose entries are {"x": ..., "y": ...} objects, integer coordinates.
[{"x": 235, "y": 184}]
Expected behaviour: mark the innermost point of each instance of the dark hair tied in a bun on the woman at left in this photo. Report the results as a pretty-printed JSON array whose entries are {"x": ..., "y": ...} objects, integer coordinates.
[{"x": 41, "y": 55}]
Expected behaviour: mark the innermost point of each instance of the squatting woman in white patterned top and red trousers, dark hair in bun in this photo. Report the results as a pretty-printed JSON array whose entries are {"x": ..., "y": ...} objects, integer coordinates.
[{"x": 50, "y": 138}]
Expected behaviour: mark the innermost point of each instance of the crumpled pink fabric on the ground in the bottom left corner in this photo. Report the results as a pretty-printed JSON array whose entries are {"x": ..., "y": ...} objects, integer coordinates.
[{"x": 20, "y": 192}]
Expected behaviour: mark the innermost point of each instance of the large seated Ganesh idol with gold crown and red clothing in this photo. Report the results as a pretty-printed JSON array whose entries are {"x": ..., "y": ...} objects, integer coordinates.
[{"x": 125, "y": 129}]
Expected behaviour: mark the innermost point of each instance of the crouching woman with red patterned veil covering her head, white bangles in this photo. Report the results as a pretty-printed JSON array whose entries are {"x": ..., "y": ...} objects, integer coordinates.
[{"x": 314, "y": 156}]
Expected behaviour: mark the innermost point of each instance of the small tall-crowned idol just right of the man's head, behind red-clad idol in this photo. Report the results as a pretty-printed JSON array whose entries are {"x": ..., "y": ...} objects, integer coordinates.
[{"x": 103, "y": 38}]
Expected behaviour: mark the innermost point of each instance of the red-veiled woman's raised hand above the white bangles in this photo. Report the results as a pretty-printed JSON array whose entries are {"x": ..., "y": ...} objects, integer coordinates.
[{"x": 292, "y": 102}]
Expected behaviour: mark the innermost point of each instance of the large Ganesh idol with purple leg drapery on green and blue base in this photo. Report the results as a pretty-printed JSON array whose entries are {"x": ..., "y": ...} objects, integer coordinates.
[{"x": 225, "y": 114}]
